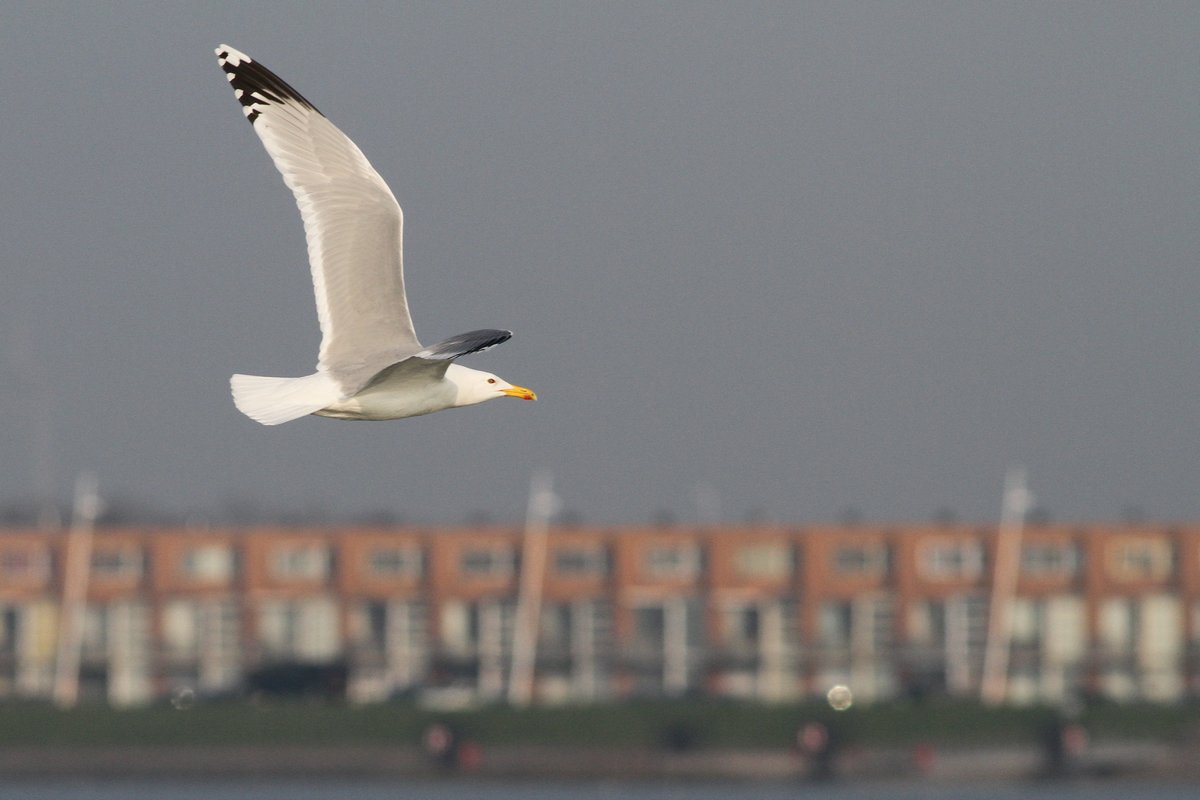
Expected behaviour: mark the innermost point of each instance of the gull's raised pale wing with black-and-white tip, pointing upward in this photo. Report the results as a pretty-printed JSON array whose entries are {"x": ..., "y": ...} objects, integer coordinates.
[{"x": 351, "y": 219}]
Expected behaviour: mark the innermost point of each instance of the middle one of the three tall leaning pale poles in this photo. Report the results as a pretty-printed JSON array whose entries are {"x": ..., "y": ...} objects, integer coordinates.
[{"x": 543, "y": 506}]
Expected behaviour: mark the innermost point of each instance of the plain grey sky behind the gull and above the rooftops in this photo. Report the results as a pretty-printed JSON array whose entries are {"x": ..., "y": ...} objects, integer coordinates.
[{"x": 814, "y": 256}]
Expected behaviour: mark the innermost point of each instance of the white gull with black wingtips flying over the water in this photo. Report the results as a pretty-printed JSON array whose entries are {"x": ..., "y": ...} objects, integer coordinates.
[{"x": 371, "y": 365}]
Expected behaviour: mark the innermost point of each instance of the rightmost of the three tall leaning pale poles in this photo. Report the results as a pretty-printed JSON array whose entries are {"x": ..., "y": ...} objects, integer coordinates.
[{"x": 1006, "y": 573}]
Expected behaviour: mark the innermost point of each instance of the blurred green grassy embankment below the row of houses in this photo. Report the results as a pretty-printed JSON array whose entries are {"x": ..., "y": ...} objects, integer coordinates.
[{"x": 682, "y": 724}]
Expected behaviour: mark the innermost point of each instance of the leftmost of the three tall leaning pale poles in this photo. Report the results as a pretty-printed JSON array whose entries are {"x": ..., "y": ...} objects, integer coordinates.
[{"x": 75, "y": 591}]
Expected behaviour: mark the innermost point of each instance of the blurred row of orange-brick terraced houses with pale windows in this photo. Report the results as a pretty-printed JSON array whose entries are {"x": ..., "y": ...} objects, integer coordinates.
[{"x": 760, "y": 612}]
